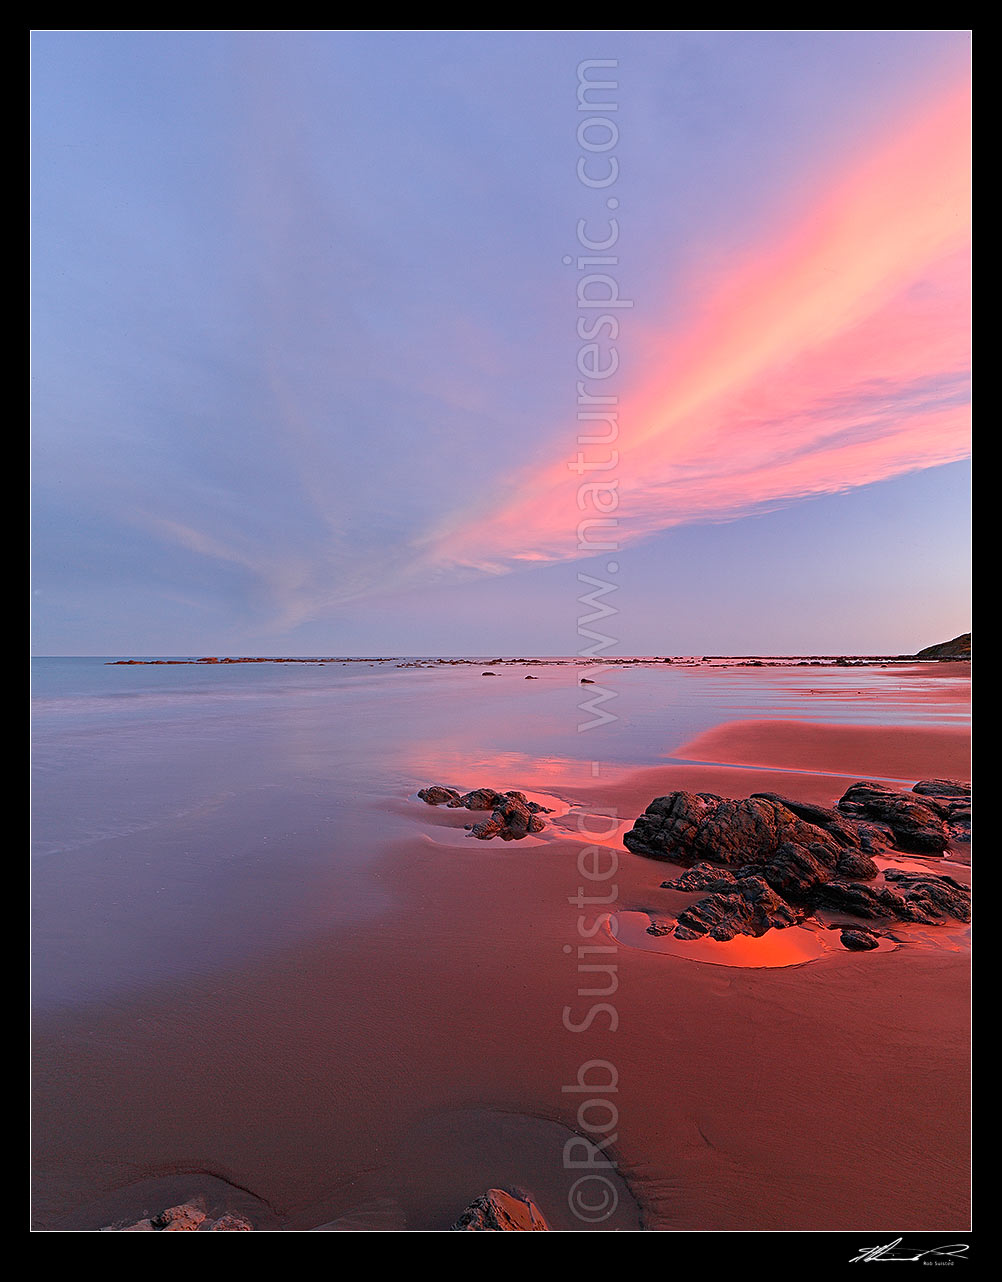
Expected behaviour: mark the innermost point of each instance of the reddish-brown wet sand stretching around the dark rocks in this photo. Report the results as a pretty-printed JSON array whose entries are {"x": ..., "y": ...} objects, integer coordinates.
[{"x": 385, "y": 1078}]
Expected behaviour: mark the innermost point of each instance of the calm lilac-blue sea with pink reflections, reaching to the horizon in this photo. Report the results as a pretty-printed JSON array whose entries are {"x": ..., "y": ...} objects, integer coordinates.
[{"x": 185, "y": 815}]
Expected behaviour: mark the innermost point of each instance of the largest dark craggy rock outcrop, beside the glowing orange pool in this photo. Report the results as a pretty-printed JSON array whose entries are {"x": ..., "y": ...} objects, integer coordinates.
[{"x": 769, "y": 862}]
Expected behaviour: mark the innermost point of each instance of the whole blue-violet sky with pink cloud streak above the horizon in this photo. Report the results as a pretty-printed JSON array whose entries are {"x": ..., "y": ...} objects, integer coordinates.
[{"x": 500, "y": 343}]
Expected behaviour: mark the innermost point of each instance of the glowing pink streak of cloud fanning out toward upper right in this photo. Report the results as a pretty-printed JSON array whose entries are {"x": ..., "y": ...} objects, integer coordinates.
[{"x": 830, "y": 358}]
